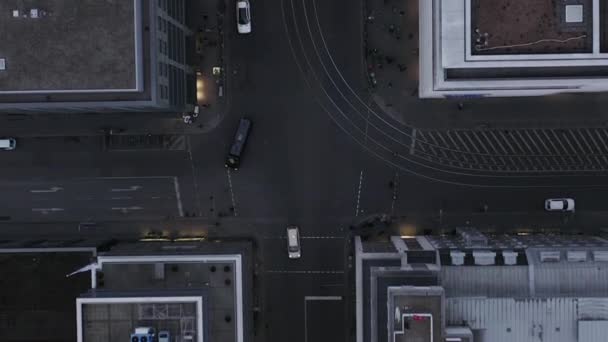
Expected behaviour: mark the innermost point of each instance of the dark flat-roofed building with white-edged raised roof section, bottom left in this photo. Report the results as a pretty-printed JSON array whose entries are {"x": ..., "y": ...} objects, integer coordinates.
[{"x": 185, "y": 288}]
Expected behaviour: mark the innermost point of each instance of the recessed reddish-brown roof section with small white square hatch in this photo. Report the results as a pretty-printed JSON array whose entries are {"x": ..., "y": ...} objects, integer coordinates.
[{"x": 531, "y": 27}]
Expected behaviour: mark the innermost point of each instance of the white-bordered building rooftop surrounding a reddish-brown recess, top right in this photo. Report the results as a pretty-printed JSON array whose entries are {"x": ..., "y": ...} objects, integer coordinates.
[{"x": 475, "y": 48}]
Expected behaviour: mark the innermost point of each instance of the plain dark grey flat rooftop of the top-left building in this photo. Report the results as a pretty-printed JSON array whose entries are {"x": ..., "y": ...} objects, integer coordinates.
[{"x": 71, "y": 45}]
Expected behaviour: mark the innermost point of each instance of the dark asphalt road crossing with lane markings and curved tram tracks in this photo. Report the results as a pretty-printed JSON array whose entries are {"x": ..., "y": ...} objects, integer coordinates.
[{"x": 310, "y": 161}]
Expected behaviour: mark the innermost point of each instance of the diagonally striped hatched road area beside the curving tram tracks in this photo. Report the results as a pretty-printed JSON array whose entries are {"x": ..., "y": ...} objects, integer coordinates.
[{"x": 524, "y": 150}]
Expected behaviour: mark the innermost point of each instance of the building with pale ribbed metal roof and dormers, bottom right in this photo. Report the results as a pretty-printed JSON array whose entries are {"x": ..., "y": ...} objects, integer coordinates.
[{"x": 510, "y": 287}]
